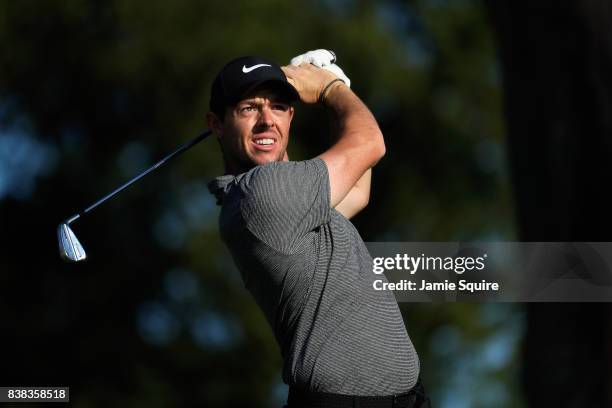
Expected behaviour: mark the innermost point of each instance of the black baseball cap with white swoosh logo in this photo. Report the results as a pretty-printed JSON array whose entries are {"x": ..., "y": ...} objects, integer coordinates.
[{"x": 243, "y": 74}]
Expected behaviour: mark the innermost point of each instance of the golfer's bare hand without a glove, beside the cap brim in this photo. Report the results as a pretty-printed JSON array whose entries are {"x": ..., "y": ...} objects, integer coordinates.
[{"x": 309, "y": 81}]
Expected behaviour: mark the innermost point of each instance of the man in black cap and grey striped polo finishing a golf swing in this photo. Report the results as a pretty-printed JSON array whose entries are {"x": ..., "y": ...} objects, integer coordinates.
[{"x": 286, "y": 226}]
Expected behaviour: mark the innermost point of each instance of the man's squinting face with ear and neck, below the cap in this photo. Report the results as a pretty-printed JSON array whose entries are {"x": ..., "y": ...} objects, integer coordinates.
[{"x": 255, "y": 131}]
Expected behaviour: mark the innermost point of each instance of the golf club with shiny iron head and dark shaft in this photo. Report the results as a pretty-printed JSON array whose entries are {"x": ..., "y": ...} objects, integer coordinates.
[{"x": 70, "y": 248}]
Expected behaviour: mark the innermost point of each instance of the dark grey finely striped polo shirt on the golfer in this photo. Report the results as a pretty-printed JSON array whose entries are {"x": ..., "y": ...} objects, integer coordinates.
[{"x": 311, "y": 274}]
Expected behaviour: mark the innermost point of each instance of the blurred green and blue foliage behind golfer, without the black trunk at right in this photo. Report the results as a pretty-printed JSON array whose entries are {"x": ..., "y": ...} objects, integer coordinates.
[{"x": 99, "y": 90}]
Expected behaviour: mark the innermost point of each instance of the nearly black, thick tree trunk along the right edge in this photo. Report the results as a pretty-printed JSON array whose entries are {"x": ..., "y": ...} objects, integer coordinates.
[{"x": 557, "y": 59}]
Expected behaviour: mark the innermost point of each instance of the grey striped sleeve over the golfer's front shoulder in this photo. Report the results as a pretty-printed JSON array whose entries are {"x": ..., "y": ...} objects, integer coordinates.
[{"x": 283, "y": 201}]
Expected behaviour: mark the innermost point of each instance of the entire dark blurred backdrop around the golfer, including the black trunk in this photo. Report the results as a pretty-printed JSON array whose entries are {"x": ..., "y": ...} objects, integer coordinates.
[{"x": 498, "y": 127}]
